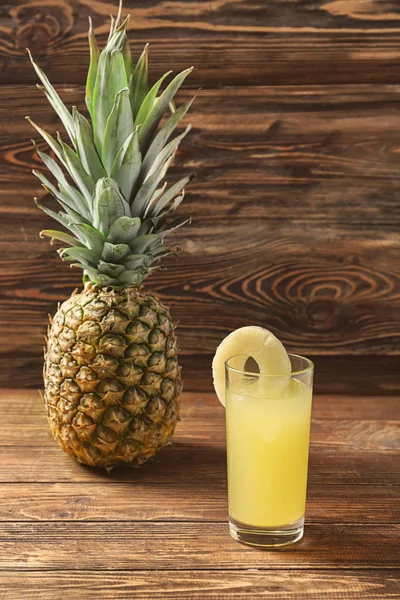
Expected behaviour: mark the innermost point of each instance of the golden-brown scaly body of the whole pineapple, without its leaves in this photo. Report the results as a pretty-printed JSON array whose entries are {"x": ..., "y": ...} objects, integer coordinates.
[{"x": 111, "y": 374}]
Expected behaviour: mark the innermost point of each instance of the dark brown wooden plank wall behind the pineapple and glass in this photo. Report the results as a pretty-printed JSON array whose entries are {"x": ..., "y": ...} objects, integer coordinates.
[{"x": 295, "y": 208}]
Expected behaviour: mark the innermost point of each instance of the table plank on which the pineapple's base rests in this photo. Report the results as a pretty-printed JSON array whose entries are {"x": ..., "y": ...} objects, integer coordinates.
[{"x": 192, "y": 463}]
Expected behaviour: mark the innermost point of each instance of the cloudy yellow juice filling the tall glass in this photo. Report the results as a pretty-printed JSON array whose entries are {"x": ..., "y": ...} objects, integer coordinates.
[{"x": 267, "y": 441}]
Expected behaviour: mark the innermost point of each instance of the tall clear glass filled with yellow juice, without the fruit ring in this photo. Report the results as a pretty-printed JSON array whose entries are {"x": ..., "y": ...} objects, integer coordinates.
[{"x": 268, "y": 431}]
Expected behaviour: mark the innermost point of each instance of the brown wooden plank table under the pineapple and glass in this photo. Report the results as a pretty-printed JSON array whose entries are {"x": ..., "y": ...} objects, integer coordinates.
[{"x": 158, "y": 532}]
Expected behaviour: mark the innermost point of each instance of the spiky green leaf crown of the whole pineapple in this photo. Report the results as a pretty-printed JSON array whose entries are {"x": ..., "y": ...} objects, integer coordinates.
[{"x": 109, "y": 179}]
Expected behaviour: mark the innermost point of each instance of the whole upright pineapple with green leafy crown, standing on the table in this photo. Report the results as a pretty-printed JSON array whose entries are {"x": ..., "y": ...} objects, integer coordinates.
[{"x": 111, "y": 374}]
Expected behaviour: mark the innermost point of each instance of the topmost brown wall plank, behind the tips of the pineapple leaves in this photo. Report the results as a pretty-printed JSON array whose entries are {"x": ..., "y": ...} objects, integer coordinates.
[{"x": 229, "y": 43}]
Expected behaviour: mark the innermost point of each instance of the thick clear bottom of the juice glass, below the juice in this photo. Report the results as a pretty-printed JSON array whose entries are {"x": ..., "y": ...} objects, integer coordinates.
[{"x": 267, "y": 537}]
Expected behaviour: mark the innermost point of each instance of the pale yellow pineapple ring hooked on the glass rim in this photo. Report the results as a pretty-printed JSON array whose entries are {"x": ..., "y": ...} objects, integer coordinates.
[{"x": 249, "y": 342}]
